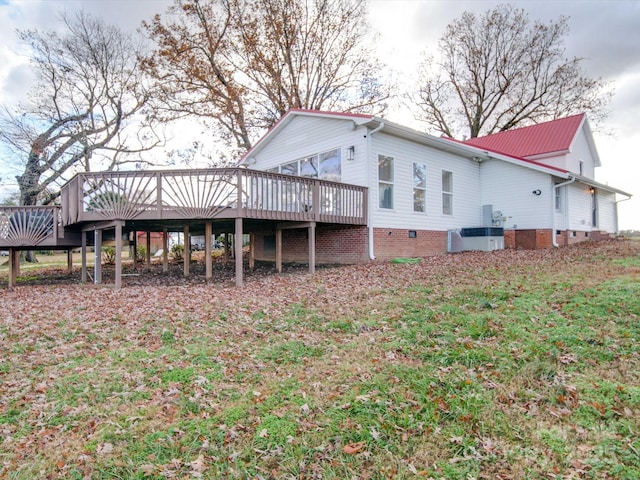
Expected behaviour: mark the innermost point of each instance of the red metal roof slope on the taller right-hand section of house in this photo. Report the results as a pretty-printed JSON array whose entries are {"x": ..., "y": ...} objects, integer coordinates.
[{"x": 540, "y": 139}]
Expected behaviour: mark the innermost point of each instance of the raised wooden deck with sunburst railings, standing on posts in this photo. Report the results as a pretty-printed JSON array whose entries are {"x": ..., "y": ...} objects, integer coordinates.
[{"x": 176, "y": 200}]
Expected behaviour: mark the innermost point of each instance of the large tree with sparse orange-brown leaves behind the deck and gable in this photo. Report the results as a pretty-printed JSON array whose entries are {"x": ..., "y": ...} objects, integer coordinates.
[{"x": 244, "y": 63}]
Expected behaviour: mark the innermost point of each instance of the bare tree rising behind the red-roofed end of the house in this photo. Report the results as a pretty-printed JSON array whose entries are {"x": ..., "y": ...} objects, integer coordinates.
[{"x": 498, "y": 71}]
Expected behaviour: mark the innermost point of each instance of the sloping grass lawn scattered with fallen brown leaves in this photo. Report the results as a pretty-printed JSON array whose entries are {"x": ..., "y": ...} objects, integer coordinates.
[{"x": 502, "y": 365}]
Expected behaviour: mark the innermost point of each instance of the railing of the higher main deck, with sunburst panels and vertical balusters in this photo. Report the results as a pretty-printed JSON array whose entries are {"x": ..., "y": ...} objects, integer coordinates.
[{"x": 209, "y": 194}]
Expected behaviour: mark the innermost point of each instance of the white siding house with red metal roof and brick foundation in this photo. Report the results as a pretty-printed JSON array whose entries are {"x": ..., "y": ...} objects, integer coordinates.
[{"x": 537, "y": 184}]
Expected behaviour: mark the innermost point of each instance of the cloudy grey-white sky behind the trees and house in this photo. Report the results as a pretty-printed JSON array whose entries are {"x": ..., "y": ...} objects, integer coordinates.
[{"x": 605, "y": 33}]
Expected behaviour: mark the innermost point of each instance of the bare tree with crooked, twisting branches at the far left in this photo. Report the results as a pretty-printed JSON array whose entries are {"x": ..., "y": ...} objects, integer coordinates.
[{"x": 86, "y": 110}]
